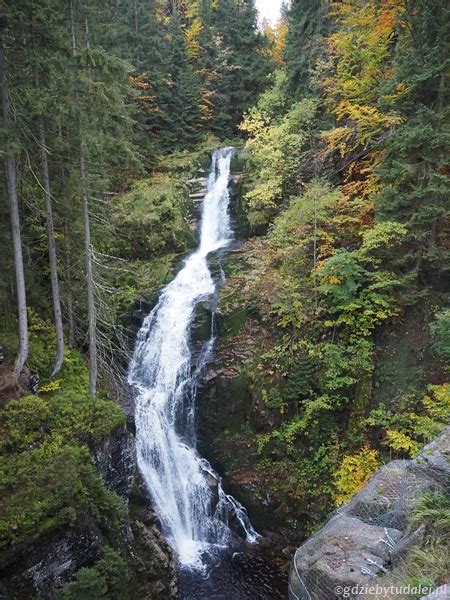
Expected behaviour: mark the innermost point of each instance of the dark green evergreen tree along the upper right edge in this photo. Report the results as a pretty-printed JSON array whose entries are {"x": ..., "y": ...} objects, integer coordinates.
[{"x": 414, "y": 170}]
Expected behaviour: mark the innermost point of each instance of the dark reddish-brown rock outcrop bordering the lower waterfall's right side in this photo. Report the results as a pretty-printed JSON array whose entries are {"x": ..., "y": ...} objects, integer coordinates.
[{"x": 226, "y": 405}]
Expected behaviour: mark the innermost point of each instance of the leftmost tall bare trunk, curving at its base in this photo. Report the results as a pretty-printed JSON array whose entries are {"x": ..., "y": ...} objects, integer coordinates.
[{"x": 10, "y": 168}]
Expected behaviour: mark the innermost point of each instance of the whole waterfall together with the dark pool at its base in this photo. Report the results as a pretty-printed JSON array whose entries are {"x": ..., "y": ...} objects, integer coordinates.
[{"x": 207, "y": 528}]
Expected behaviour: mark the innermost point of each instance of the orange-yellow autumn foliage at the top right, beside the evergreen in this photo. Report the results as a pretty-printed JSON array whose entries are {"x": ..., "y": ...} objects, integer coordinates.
[{"x": 360, "y": 58}]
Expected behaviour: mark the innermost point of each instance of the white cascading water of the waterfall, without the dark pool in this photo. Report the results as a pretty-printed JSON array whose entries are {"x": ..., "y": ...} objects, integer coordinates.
[{"x": 193, "y": 512}]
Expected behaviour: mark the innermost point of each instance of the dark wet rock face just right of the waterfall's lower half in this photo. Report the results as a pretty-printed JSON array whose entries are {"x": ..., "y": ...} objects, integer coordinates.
[{"x": 228, "y": 414}]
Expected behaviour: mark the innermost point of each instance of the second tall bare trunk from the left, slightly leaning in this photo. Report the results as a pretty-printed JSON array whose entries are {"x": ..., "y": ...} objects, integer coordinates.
[{"x": 56, "y": 296}]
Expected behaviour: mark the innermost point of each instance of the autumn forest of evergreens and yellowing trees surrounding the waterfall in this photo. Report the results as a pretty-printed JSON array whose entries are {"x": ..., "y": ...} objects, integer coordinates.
[{"x": 333, "y": 324}]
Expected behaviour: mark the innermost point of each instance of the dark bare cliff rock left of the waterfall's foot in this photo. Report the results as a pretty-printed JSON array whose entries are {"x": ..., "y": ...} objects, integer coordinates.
[{"x": 43, "y": 567}]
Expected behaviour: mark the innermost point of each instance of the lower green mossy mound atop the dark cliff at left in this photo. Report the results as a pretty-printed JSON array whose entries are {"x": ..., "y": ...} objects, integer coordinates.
[{"x": 46, "y": 487}]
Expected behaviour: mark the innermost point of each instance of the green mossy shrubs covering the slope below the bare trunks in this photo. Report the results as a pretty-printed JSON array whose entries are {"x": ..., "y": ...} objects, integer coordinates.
[{"x": 46, "y": 475}]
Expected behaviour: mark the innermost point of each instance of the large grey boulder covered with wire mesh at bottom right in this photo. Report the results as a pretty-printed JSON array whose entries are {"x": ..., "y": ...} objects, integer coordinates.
[{"x": 369, "y": 537}]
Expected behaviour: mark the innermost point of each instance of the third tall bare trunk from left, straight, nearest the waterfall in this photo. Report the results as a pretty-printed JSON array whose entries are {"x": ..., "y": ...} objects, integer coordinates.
[{"x": 92, "y": 317}]
